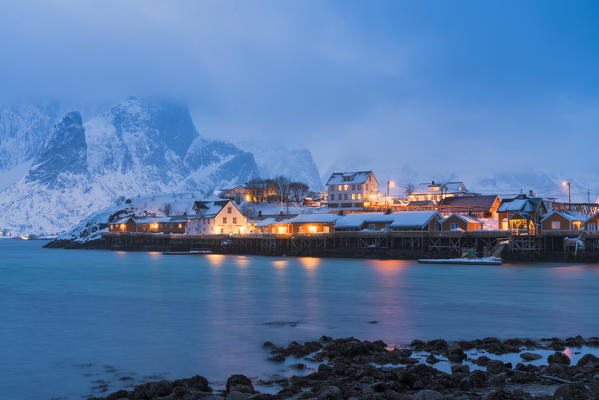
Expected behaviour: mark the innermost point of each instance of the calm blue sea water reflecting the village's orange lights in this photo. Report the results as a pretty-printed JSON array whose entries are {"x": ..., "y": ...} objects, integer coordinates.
[{"x": 74, "y": 320}]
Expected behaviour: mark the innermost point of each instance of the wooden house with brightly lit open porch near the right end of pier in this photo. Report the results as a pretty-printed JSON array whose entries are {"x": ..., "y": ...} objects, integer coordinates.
[{"x": 521, "y": 215}]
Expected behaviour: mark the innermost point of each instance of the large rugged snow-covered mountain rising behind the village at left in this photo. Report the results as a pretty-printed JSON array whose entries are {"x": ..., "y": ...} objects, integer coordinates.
[{"x": 136, "y": 148}]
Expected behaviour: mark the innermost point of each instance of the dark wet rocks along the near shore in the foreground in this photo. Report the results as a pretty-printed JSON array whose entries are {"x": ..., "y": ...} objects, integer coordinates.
[{"x": 352, "y": 369}]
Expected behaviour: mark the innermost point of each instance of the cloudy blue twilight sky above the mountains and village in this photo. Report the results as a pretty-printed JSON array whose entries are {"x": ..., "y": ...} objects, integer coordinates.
[{"x": 502, "y": 94}]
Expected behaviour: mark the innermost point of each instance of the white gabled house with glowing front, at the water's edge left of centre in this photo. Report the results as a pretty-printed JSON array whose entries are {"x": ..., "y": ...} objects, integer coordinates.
[{"x": 216, "y": 217}]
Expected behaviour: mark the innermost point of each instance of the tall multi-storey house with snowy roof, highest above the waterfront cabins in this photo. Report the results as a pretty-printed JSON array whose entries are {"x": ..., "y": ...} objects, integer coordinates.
[{"x": 351, "y": 189}]
